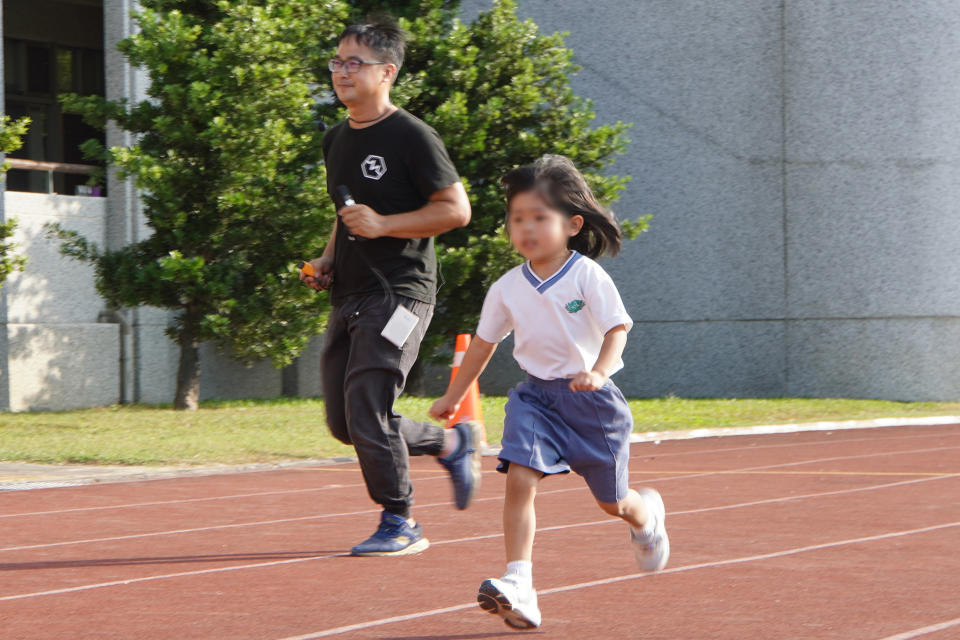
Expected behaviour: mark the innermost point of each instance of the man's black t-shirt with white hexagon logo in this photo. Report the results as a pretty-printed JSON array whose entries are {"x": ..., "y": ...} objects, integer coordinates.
[{"x": 393, "y": 166}]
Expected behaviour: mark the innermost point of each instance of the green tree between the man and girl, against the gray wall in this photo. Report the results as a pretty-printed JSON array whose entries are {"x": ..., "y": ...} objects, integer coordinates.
[{"x": 498, "y": 93}]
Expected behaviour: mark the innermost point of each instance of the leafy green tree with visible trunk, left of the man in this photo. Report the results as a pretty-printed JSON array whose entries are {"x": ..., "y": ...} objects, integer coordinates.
[{"x": 227, "y": 161}]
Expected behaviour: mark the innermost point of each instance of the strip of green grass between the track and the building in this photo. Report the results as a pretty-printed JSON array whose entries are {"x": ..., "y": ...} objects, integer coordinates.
[{"x": 249, "y": 431}]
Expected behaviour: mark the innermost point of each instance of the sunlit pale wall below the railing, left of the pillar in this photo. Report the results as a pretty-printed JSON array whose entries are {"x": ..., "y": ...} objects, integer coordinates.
[{"x": 59, "y": 356}]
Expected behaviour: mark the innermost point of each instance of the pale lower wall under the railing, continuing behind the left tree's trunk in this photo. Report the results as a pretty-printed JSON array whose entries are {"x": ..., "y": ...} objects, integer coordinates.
[{"x": 59, "y": 348}]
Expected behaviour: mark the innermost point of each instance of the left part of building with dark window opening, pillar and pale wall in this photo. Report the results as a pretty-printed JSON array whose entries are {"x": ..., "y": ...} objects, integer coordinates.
[{"x": 60, "y": 346}]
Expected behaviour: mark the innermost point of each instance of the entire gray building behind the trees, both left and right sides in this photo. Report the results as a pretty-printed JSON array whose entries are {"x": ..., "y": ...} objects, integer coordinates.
[{"x": 799, "y": 158}]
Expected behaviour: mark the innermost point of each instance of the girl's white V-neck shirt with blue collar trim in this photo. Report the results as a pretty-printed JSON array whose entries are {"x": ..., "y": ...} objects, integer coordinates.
[{"x": 558, "y": 323}]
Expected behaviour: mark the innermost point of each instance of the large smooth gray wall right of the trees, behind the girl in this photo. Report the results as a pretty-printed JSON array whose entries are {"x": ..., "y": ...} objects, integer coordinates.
[{"x": 799, "y": 158}]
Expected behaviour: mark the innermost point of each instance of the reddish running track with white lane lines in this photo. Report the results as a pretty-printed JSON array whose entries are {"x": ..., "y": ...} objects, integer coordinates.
[{"x": 850, "y": 535}]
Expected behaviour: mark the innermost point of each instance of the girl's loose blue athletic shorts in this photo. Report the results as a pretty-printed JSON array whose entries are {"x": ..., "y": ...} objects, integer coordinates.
[{"x": 552, "y": 429}]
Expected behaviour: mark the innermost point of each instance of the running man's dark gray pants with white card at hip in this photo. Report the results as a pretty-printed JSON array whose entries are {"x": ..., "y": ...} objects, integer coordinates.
[{"x": 363, "y": 374}]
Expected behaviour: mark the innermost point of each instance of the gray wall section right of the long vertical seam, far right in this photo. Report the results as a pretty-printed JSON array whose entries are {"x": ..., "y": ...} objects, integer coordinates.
[{"x": 873, "y": 198}]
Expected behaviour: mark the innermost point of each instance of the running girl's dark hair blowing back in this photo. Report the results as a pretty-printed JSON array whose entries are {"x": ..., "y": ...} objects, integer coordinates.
[{"x": 559, "y": 183}]
